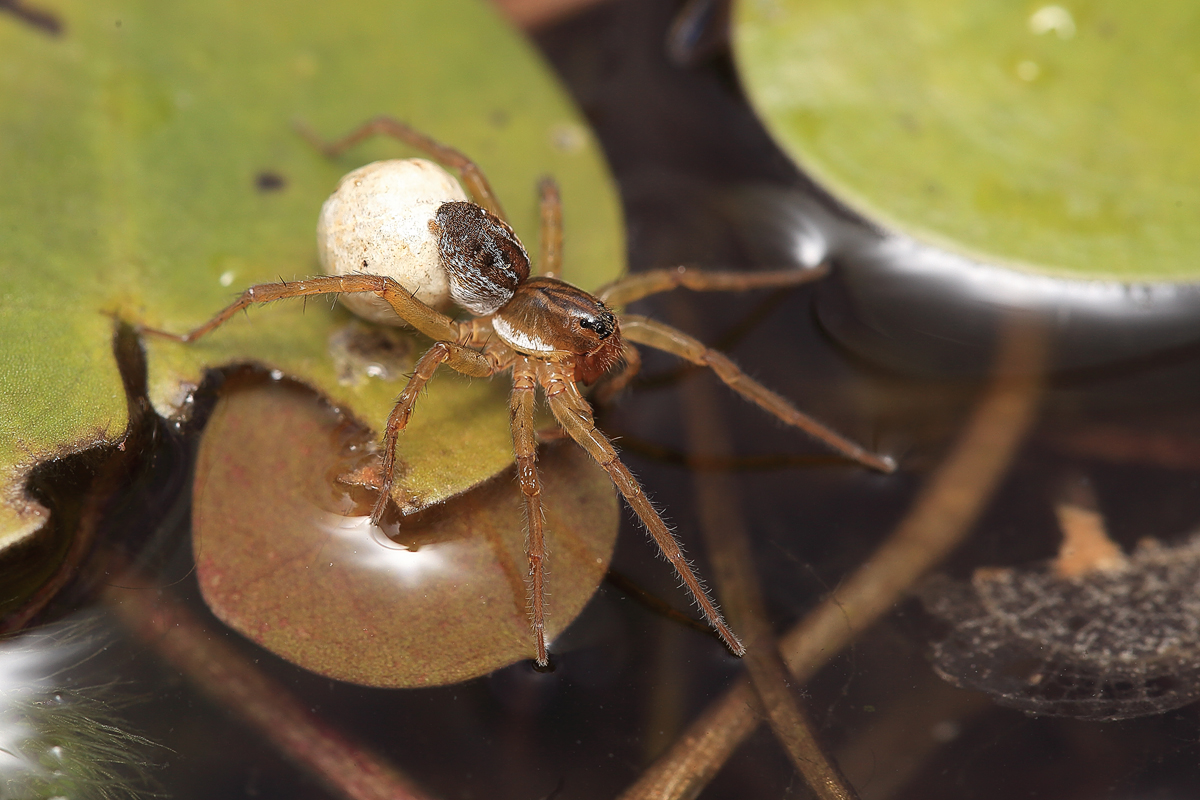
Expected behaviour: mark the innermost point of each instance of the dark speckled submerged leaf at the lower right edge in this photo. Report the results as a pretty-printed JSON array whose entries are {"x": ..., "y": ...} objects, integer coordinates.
[{"x": 1109, "y": 645}]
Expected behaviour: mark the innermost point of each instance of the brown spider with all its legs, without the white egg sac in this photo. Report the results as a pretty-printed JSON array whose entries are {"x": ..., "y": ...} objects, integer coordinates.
[{"x": 548, "y": 334}]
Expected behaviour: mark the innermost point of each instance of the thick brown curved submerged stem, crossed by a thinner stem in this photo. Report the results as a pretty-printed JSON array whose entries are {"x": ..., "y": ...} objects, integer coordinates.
[{"x": 943, "y": 515}]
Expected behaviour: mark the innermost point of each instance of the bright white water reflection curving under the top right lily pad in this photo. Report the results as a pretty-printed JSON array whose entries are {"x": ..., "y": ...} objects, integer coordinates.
[{"x": 919, "y": 306}]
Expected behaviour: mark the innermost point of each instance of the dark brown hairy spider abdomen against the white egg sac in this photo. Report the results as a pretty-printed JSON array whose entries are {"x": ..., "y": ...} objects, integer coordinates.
[{"x": 482, "y": 256}]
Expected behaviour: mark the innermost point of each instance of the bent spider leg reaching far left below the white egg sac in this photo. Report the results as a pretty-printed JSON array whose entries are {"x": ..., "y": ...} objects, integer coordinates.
[{"x": 433, "y": 323}]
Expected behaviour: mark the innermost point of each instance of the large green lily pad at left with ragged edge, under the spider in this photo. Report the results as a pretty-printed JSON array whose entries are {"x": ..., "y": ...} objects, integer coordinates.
[{"x": 152, "y": 172}]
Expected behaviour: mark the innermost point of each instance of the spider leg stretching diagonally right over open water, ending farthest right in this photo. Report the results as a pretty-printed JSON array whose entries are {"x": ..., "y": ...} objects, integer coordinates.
[{"x": 664, "y": 338}]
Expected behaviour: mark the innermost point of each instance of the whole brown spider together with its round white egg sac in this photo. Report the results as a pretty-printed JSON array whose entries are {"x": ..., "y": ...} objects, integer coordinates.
[{"x": 440, "y": 244}]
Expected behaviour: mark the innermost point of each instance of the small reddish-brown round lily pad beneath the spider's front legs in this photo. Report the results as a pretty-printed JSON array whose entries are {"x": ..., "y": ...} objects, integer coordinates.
[{"x": 299, "y": 569}]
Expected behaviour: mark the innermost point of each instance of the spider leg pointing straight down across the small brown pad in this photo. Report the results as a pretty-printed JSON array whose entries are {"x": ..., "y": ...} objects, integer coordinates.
[{"x": 525, "y": 446}]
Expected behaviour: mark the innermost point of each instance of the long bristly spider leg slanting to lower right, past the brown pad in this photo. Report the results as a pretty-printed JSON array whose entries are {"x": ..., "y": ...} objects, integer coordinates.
[{"x": 574, "y": 414}]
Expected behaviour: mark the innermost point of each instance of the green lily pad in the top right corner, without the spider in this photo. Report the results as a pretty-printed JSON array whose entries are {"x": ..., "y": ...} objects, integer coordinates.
[{"x": 1052, "y": 139}]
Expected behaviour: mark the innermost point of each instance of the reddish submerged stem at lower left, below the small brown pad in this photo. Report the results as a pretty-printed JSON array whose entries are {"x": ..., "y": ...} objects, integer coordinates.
[{"x": 344, "y": 766}]
